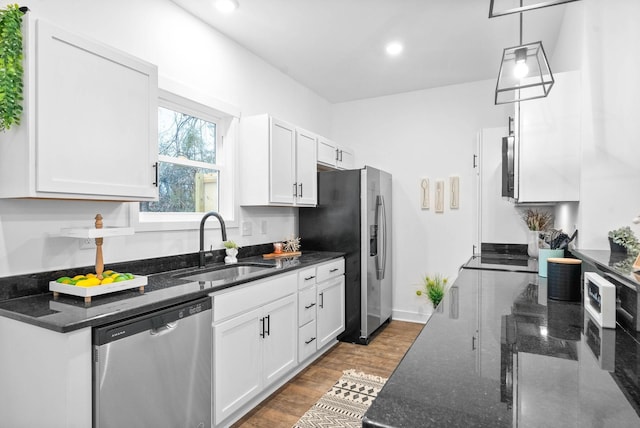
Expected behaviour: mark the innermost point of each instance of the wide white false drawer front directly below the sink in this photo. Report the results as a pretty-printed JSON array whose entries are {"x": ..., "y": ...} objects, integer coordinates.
[{"x": 243, "y": 298}]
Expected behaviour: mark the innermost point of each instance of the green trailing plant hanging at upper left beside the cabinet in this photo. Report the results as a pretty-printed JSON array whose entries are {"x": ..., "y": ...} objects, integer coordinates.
[{"x": 11, "y": 71}]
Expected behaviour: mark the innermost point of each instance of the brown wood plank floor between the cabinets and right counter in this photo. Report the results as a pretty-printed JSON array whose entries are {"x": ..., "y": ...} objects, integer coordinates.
[{"x": 289, "y": 403}]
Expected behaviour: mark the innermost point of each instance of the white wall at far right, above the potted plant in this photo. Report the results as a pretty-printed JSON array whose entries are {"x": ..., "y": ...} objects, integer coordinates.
[{"x": 610, "y": 176}]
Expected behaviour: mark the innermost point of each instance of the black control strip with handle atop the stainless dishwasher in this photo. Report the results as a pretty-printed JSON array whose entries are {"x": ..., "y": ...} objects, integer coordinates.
[{"x": 156, "y": 323}]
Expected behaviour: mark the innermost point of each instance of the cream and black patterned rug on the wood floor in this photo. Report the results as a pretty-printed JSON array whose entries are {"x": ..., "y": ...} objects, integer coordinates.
[{"x": 345, "y": 403}]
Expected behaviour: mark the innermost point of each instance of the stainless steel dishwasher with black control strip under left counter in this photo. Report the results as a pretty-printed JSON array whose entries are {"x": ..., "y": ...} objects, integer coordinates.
[{"x": 155, "y": 370}]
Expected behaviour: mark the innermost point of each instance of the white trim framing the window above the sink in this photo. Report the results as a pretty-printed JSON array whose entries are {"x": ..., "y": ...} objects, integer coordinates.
[{"x": 188, "y": 100}]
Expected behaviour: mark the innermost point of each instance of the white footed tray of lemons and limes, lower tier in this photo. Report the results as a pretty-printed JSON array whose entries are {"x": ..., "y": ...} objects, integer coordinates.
[{"x": 90, "y": 285}]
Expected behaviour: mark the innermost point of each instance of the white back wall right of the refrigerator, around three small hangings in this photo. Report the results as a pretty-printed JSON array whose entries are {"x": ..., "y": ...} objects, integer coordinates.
[{"x": 423, "y": 134}]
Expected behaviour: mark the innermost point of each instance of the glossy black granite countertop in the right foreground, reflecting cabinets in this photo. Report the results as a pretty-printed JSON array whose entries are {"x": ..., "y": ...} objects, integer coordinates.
[{"x": 498, "y": 353}]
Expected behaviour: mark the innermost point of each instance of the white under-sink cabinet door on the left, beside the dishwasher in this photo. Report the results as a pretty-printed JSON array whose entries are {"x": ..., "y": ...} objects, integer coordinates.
[{"x": 237, "y": 361}]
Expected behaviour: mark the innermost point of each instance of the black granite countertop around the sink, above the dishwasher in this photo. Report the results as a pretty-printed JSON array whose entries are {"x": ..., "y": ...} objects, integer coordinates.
[{"x": 68, "y": 313}]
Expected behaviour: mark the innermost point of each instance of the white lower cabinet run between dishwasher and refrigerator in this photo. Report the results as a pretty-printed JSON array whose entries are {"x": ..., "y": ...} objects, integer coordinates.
[{"x": 266, "y": 331}]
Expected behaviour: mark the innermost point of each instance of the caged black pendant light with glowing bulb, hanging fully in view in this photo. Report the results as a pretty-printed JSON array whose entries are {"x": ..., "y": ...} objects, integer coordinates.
[{"x": 524, "y": 72}]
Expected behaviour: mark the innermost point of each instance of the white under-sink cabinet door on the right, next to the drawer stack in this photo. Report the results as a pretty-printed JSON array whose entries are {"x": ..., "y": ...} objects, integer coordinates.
[{"x": 280, "y": 341}]
